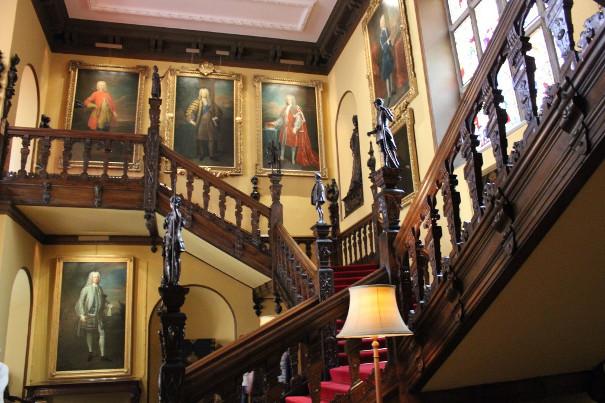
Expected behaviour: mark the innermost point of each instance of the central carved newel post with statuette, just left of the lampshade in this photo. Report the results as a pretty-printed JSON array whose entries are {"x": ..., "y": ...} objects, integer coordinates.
[{"x": 325, "y": 274}]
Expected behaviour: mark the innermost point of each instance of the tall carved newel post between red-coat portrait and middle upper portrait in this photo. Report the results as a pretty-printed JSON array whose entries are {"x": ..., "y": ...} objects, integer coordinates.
[{"x": 152, "y": 159}]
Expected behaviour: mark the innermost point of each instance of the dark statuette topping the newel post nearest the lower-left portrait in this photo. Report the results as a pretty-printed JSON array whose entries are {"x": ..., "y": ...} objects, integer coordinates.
[{"x": 173, "y": 244}]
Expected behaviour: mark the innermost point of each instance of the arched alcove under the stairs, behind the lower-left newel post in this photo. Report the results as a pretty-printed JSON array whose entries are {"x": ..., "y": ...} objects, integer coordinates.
[{"x": 209, "y": 316}]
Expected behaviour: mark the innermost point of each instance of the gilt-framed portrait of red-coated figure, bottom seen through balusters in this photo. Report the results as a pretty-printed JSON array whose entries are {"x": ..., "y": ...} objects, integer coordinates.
[{"x": 121, "y": 111}]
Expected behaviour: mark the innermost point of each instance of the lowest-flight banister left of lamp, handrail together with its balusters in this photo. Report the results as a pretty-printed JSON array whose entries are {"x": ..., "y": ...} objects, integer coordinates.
[{"x": 296, "y": 330}]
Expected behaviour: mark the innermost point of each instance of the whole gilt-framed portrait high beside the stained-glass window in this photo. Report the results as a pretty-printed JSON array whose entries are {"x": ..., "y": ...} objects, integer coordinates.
[{"x": 388, "y": 51}]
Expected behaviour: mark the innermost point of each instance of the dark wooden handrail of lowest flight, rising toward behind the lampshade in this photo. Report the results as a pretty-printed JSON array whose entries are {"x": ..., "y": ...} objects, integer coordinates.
[{"x": 266, "y": 344}]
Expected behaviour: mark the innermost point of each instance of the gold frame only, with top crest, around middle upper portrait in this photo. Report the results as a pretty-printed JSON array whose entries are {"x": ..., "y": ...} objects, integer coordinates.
[{"x": 207, "y": 70}]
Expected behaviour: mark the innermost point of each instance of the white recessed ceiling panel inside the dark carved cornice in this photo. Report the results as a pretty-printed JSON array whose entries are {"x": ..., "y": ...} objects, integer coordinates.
[{"x": 301, "y": 20}]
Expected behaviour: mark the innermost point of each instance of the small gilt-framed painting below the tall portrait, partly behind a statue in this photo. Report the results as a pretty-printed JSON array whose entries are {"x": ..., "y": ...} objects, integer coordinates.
[{"x": 405, "y": 139}]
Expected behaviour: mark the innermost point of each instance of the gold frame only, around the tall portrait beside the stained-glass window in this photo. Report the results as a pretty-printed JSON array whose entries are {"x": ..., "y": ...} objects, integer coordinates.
[{"x": 400, "y": 106}]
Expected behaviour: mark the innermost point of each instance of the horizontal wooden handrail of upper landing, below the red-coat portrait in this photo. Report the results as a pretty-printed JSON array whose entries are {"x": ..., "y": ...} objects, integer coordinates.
[{"x": 18, "y": 131}]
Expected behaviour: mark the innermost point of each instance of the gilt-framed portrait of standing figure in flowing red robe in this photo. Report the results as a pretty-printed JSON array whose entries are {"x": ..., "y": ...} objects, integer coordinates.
[{"x": 290, "y": 115}]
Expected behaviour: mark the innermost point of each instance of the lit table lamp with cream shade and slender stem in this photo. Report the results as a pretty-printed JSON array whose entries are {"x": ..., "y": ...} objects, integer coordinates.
[{"x": 373, "y": 313}]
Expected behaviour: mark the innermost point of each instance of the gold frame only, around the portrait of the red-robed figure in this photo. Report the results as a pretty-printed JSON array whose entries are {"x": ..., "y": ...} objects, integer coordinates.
[{"x": 318, "y": 86}]
